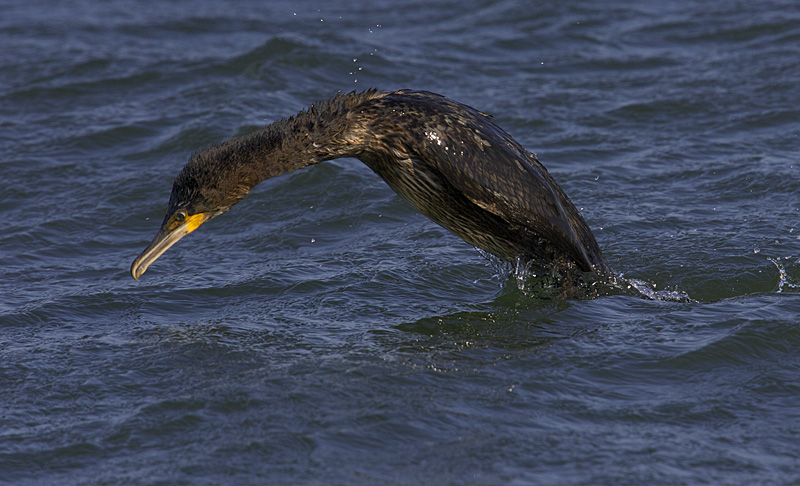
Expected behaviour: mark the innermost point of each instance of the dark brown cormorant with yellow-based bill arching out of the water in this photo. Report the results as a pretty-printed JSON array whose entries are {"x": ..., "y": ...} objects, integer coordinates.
[{"x": 452, "y": 162}]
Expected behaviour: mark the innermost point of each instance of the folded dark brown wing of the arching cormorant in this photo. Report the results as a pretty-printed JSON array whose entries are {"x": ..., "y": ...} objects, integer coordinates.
[{"x": 491, "y": 169}]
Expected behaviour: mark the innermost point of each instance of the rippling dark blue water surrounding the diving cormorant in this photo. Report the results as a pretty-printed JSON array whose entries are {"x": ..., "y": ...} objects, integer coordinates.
[{"x": 322, "y": 332}]
